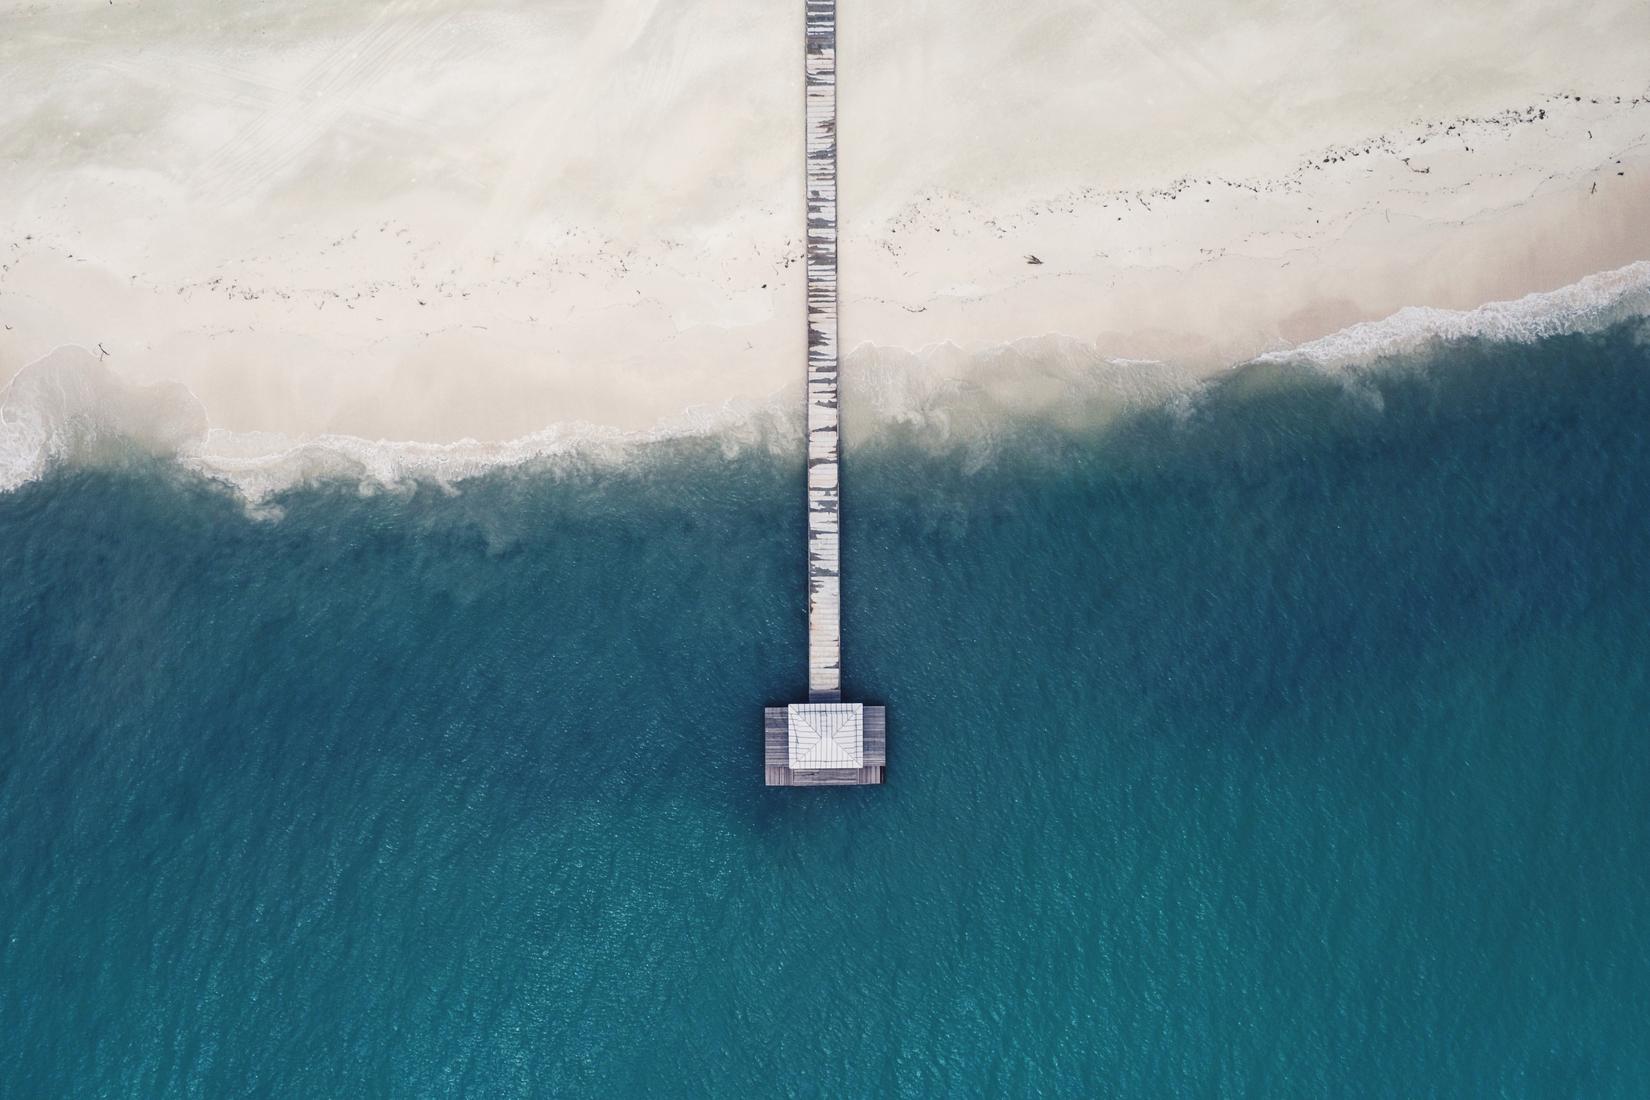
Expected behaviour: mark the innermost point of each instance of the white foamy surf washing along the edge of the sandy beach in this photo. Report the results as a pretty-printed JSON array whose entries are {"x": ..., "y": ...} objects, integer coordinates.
[{"x": 72, "y": 408}]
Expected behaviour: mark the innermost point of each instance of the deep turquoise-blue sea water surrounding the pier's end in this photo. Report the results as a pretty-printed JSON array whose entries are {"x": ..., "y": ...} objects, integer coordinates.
[{"x": 1289, "y": 741}]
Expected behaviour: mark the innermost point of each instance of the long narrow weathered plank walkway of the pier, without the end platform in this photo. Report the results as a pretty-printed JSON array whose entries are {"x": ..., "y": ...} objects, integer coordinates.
[{"x": 824, "y": 477}]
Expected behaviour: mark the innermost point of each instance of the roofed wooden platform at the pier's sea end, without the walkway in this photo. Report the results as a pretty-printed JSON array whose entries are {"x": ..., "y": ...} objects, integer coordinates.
[{"x": 824, "y": 745}]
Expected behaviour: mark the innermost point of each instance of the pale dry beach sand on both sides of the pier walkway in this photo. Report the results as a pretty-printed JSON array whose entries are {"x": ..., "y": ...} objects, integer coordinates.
[{"x": 431, "y": 220}]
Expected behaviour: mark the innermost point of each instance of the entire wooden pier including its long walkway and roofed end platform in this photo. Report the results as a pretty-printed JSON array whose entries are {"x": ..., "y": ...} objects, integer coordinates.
[{"x": 823, "y": 743}]
